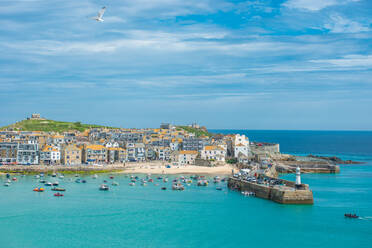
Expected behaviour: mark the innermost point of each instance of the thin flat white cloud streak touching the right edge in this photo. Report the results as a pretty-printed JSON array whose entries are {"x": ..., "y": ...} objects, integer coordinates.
[{"x": 348, "y": 61}]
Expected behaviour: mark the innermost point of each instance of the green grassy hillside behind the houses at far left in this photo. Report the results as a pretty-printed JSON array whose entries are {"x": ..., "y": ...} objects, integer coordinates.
[{"x": 50, "y": 126}]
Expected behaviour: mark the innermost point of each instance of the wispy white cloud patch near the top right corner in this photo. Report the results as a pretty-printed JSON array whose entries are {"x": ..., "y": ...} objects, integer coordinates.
[{"x": 339, "y": 24}]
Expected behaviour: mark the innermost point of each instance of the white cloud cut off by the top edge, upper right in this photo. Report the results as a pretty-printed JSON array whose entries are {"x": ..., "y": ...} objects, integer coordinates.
[{"x": 314, "y": 5}]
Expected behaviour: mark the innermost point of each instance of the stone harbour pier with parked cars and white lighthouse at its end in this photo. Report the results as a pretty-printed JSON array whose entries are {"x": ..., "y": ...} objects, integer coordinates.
[{"x": 284, "y": 191}]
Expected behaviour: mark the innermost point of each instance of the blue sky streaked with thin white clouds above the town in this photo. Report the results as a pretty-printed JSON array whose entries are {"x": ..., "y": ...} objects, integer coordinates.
[{"x": 279, "y": 64}]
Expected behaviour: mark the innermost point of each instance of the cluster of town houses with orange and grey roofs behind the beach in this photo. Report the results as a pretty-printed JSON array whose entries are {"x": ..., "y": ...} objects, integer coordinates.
[{"x": 108, "y": 146}]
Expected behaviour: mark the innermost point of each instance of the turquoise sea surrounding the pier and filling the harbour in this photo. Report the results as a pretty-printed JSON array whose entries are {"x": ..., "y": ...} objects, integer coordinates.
[{"x": 199, "y": 216}]
